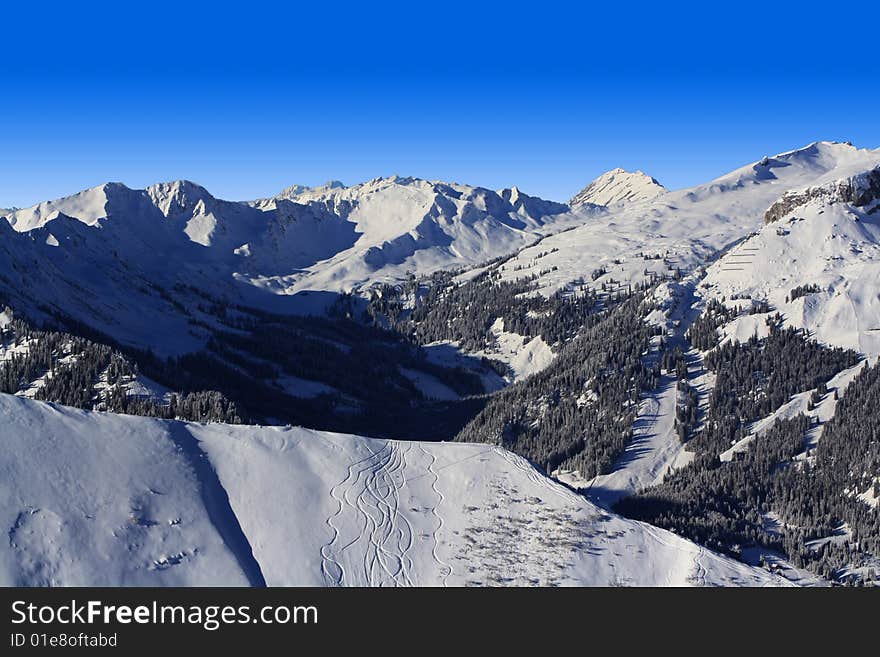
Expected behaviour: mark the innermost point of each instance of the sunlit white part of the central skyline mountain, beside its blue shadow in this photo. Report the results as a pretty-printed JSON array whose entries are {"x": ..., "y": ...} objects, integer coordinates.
[{"x": 405, "y": 225}]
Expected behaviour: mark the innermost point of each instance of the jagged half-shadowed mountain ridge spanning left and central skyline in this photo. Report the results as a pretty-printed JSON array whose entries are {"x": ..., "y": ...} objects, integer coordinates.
[{"x": 329, "y": 237}]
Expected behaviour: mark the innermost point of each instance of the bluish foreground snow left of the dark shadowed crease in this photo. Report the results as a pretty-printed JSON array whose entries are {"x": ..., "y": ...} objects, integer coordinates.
[{"x": 97, "y": 499}]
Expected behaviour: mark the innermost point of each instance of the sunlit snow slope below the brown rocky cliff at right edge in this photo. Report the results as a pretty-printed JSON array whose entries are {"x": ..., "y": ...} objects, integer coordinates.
[{"x": 823, "y": 242}]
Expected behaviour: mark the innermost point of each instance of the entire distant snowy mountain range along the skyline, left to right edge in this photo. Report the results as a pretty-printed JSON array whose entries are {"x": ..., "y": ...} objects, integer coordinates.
[{"x": 92, "y": 256}]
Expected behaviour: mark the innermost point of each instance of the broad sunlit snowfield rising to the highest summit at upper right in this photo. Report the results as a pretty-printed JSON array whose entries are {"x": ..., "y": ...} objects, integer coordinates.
[{"x": 686, "y": 228}]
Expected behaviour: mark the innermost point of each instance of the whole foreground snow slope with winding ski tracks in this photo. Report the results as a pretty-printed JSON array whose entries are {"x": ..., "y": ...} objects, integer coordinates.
[{"x": 93, "y": 498}]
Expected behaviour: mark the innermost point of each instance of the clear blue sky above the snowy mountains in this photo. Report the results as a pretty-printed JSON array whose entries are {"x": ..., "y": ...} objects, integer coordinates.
[{"x": 543, "y": 95}]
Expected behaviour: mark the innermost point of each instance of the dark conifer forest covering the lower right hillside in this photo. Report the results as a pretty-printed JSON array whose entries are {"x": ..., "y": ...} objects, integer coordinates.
[{"x": 773, "y": 494}]
